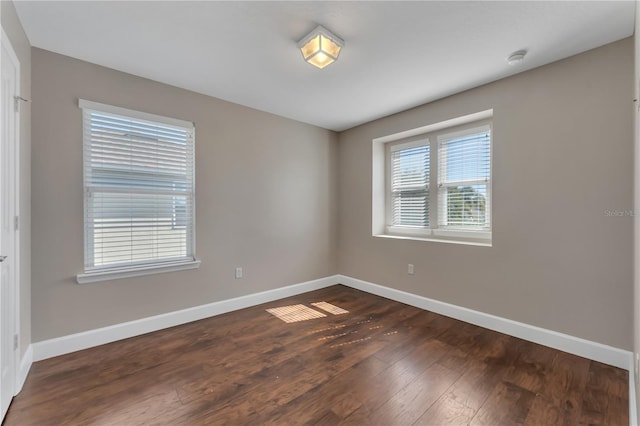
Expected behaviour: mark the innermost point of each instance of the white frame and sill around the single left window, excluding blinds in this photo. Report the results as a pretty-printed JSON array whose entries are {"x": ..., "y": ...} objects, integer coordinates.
[{"x": 108, "y": 272}]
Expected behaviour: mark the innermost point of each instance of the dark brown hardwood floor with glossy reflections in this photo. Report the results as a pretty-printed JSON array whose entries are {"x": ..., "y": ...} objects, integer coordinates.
[{"x": 382, "y": 363}]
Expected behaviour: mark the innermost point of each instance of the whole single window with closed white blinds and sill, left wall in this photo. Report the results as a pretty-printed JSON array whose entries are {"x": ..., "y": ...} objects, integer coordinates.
[{"x": 138, "y": 193}]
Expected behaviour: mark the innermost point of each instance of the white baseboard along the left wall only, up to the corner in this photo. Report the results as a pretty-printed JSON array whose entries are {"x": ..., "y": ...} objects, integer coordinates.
[{"x": 87, "y": 339}]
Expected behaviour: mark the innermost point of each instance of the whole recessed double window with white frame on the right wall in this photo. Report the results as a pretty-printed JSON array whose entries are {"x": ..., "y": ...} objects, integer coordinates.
[{"x": 436, "y": 182}]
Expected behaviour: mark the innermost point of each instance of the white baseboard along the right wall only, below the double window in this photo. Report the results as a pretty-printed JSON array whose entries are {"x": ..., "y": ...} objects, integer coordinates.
[{"x": 564, "y": 342}]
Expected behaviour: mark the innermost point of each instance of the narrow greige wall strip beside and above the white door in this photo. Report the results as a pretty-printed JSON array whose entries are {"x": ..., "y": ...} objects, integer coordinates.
[{"x": 13, "y": 28}]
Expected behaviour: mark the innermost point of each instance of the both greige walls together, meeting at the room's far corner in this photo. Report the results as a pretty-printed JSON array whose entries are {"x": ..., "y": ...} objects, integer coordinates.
[{"x": 268, "y": 198}]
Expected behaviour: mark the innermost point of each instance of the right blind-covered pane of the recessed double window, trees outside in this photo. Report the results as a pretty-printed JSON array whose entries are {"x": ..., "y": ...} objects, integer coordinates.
[{"x": 463, "y": 179}]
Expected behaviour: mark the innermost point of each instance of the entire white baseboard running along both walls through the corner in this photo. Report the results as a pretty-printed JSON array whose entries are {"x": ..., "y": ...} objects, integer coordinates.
[{"x": 564, "y": 342}]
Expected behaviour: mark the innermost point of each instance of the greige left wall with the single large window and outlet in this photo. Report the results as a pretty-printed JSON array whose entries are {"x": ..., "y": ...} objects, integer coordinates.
[{"x": 265, "y": 200}]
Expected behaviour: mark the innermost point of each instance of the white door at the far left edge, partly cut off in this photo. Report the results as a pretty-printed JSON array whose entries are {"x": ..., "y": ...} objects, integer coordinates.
[{"x": 8, "y": 222}]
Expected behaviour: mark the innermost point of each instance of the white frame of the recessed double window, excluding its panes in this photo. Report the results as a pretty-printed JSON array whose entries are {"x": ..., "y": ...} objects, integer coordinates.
[{"x": 433, "y": 136}]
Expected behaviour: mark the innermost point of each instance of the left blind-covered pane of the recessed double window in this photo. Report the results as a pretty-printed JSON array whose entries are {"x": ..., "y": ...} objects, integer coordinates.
[{"x": 410, "y": 185}]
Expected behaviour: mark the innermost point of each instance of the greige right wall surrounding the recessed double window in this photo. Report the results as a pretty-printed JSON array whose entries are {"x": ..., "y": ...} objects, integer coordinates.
[{"x": 563, "y": 155}]
